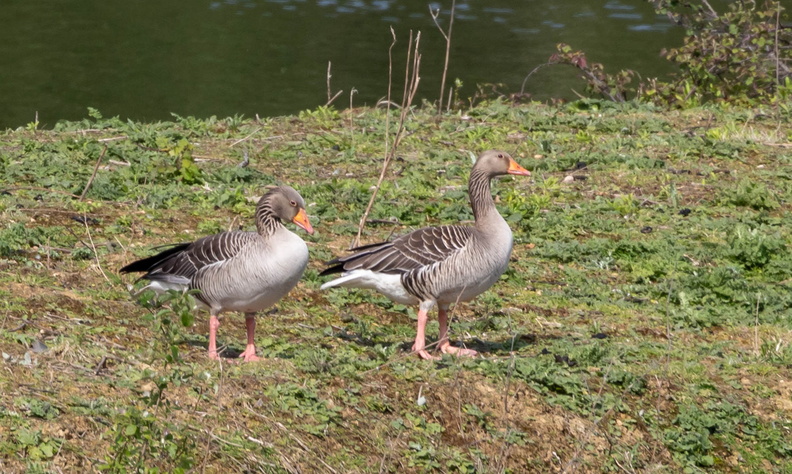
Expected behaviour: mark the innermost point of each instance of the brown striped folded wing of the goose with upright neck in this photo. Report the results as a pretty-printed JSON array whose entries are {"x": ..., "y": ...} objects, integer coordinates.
[{"x": 417, "y": 249}]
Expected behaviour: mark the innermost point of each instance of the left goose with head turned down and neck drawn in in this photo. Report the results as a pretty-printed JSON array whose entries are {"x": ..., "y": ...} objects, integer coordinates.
[{"x": 237, "y": 271}]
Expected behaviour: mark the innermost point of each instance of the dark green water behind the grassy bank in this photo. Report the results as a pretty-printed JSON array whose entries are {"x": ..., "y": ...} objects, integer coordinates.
[{"x": 144, "y": 59}]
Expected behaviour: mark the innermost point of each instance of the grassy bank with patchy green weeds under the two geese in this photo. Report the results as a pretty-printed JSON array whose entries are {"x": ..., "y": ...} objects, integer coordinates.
[{"x": 644, "y": 323}]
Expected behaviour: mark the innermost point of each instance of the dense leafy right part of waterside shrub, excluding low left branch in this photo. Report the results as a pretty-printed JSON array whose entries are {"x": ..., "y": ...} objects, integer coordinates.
[{"x": 740, "y": 55}]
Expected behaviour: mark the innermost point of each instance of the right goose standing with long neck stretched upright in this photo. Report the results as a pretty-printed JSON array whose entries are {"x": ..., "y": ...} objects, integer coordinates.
[{"x": 439, "y": 265}]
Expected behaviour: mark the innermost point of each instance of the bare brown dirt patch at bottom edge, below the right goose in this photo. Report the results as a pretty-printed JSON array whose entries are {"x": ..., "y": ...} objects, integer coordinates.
[{"x": 549, "y": 438}]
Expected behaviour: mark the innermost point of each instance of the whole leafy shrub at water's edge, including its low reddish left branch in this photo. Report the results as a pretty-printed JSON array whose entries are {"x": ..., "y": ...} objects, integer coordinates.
[{"x": 742, "y": 55}]
